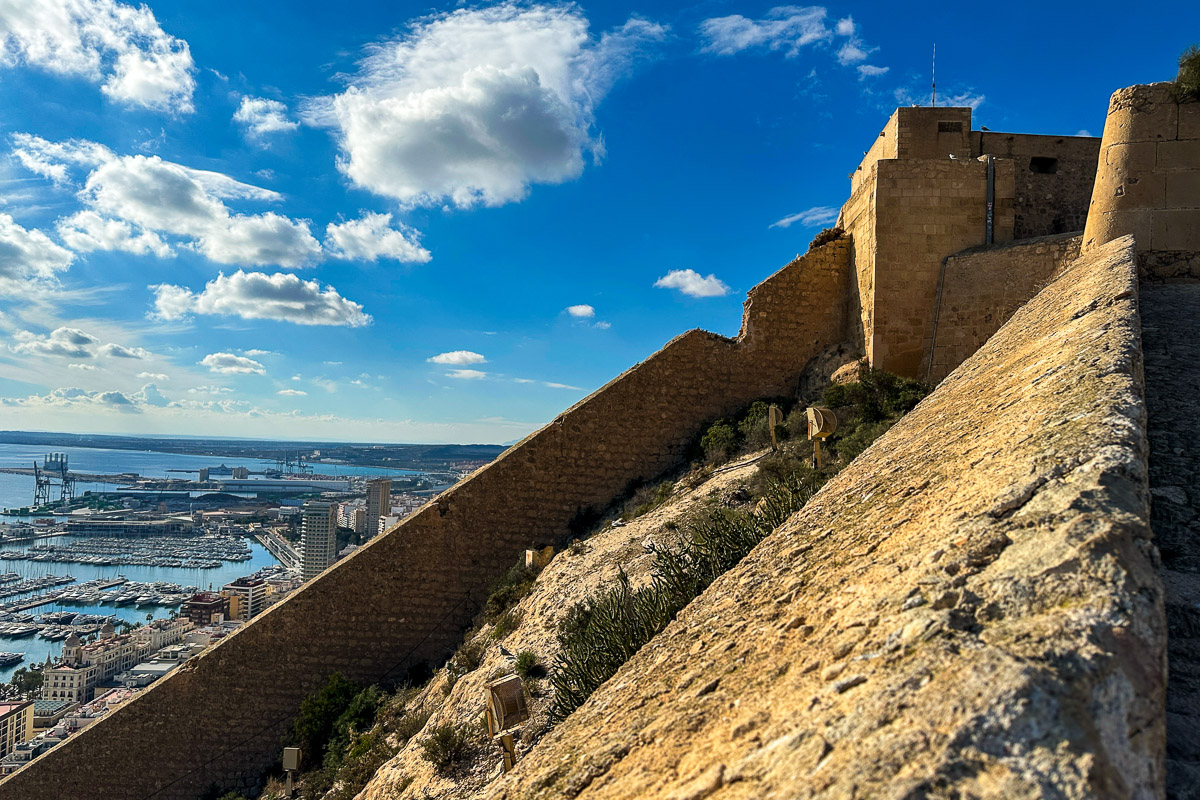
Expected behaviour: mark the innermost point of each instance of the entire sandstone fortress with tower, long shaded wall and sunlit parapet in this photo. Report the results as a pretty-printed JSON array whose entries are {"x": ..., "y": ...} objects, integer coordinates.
[{"x": 977, "y": 606}]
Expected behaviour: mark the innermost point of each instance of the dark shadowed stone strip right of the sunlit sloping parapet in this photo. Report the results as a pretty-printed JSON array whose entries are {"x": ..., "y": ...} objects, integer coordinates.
[{"x": 1172, "y": 346}]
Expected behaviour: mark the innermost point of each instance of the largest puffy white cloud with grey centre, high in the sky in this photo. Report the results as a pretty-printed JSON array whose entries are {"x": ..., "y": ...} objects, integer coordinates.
[{"x": 477, "y": 105}]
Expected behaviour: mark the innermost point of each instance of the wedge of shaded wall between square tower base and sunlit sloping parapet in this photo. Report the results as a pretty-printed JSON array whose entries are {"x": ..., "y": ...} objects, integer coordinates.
[{"x": 982, "y": 288}]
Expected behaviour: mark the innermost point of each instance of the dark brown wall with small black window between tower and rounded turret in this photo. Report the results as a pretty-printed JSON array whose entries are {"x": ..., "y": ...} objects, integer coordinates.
[{"x": 1046, "y": 203}]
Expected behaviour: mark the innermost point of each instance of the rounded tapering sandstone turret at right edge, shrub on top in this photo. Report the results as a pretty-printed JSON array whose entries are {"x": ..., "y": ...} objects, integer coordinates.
[{"x": 1149, "y": 182}]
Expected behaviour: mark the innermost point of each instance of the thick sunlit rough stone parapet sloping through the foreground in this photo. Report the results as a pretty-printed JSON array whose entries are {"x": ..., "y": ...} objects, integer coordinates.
[{"x": 969, "y": 611}]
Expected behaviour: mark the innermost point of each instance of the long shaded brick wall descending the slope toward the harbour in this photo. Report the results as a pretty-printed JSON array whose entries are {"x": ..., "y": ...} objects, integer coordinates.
[{"x": 407, "y": 596}]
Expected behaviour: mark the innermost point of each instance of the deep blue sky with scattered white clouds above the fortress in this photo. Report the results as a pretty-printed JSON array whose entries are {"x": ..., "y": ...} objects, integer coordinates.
[{"x": 399, "y": 222}]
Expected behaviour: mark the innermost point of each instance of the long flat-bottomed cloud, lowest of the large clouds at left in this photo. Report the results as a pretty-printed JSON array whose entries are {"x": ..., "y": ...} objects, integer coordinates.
[{"x": 257, "y": 296}]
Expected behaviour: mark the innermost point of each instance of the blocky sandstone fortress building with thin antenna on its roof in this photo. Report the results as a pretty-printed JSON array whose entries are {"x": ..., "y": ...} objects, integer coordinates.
[{"x": 922, "y": 194}]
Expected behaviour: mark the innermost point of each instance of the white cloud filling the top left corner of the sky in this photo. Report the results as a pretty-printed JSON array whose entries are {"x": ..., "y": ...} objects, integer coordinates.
[{"x": 119, "y": 46}]
